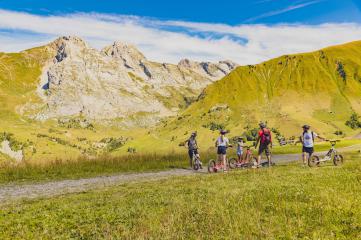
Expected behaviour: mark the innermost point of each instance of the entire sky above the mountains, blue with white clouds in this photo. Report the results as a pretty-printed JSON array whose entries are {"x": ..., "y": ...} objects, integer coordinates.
[{"x": 243, "y": 31}]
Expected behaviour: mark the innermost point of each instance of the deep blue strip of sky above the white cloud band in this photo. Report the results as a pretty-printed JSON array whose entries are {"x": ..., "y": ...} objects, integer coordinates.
[{"x": 231, "y": 12}]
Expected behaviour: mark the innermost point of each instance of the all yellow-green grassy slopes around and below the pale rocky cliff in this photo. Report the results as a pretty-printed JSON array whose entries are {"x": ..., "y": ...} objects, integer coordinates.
[{"x": 279, "y": 91}]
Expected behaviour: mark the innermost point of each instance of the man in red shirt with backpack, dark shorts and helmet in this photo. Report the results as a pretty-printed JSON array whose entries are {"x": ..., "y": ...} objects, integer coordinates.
[{"x": 265, "y": 143}]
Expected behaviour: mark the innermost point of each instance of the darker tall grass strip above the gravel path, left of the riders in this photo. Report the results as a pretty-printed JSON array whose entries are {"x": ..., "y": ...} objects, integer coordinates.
[{"x": 84, "y": 167}]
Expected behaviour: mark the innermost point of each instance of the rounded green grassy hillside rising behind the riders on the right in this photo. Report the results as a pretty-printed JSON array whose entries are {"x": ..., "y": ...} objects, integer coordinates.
[{"x": 321, "y": 88}]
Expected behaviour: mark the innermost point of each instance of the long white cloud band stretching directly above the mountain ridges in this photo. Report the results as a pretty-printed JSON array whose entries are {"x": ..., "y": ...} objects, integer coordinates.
[{"x": 169, "y": 41}]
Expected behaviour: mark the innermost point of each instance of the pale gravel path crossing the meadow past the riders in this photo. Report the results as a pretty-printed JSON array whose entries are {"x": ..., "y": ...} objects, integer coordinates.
[{"x": 13, "y": 192}]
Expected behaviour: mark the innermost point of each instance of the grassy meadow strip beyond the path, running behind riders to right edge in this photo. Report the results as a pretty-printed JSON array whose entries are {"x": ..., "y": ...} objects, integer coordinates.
[{"x": 32, "y": 171}]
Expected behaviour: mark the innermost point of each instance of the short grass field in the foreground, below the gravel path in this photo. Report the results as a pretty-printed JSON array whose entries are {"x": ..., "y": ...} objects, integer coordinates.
[{"x": 284, "y": 202}]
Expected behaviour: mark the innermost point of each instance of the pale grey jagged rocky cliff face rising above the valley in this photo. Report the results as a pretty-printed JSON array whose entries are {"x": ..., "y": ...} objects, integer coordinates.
[{"x": 118, "y": 82}]
